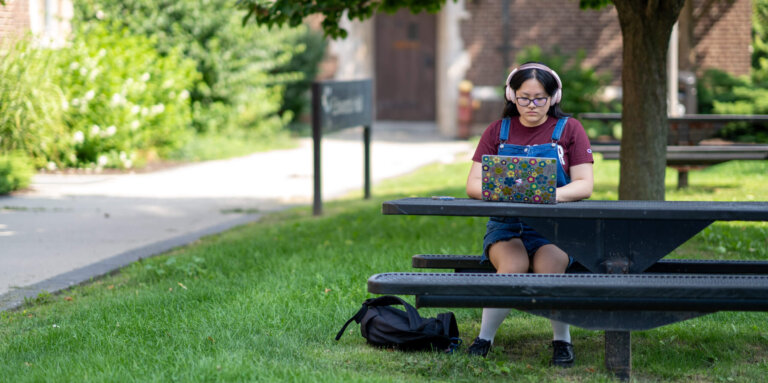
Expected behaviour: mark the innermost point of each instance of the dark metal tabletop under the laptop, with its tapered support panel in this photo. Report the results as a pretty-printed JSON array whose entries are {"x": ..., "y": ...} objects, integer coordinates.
[{"x": 604, "y": 236}]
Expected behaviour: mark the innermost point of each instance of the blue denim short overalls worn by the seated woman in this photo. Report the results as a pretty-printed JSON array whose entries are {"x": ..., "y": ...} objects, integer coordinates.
[{"x": 499, "y": 228}]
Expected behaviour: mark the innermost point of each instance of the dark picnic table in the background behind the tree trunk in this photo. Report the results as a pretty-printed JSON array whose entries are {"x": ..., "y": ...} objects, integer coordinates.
[{"x": 684, "y": 150}]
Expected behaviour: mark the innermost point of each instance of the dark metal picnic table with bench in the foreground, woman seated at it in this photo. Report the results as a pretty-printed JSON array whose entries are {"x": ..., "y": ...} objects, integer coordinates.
[{"x": 624, "y": 284}]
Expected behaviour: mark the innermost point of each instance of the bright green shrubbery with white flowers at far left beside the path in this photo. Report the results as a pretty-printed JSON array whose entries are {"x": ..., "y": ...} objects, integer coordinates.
[{"x": 107, "y": 99}]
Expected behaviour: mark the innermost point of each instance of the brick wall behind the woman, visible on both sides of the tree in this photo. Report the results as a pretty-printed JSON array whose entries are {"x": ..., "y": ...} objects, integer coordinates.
[{"x": 721, "y": 38}]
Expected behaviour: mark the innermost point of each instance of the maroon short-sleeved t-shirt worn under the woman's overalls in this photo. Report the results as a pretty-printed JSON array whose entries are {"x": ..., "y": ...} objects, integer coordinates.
[{"x": 574, "y": 147}]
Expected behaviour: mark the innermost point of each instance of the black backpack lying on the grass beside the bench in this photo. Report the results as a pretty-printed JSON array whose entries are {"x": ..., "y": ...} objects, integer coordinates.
[{"x": 385, "y": 326}]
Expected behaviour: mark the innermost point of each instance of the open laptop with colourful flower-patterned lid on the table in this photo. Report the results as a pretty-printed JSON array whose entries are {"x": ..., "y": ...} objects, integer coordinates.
[{"x": 519, "y": 179}]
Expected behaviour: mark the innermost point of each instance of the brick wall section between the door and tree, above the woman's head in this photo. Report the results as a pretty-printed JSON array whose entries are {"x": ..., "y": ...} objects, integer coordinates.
[{"x": 559, "y": 24}]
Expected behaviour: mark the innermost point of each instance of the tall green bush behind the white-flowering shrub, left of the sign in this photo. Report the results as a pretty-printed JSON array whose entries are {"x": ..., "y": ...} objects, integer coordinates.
[{"x": 238, "y": 88}]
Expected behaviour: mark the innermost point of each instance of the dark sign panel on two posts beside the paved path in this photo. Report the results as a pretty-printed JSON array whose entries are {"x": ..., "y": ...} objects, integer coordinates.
[{"x": 337, "y": 105}]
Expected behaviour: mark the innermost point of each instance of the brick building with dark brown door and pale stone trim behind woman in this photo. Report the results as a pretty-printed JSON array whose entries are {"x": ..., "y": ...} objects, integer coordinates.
[{"x": 415, "y": 58}]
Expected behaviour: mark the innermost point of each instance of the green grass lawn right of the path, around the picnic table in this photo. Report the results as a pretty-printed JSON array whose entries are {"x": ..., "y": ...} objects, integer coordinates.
[{"x": 263, "y": 302}]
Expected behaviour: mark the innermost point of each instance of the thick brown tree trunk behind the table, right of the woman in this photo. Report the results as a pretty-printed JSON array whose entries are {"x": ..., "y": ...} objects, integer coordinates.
[{"x": 645, "y": 28}]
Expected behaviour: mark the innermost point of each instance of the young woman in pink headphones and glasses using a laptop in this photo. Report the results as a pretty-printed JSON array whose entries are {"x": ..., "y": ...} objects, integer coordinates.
[{"x": 531, "y": 123}]
